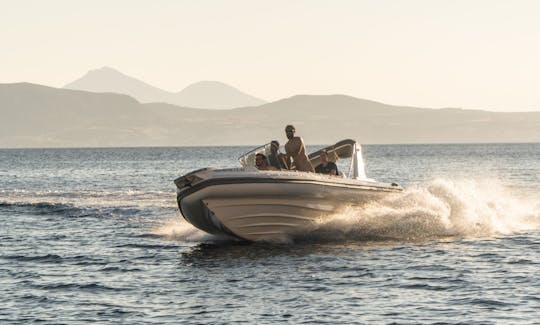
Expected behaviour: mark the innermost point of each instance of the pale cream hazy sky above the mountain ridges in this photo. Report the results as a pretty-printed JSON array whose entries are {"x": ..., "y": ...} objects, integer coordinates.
[{"x": 469, "y": 54}]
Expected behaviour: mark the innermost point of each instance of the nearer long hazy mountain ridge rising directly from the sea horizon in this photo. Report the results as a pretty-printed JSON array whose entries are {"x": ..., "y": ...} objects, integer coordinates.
[{"x": 39, "y": 116}]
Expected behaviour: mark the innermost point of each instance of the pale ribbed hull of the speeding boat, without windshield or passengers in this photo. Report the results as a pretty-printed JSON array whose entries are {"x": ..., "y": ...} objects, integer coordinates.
[{"x": 272, "y": 207}]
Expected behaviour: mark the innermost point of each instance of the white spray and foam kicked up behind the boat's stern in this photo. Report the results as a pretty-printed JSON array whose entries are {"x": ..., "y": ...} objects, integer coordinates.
[{"x": 441, "y": 208}]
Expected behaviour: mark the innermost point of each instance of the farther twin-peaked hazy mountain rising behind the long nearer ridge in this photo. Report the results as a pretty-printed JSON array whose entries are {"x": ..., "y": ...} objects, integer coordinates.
[{"x": 204, "y": 94}]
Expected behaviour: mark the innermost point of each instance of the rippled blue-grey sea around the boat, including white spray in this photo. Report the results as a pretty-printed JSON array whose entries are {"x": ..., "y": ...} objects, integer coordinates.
[{"x": 95, "y": 236}]
